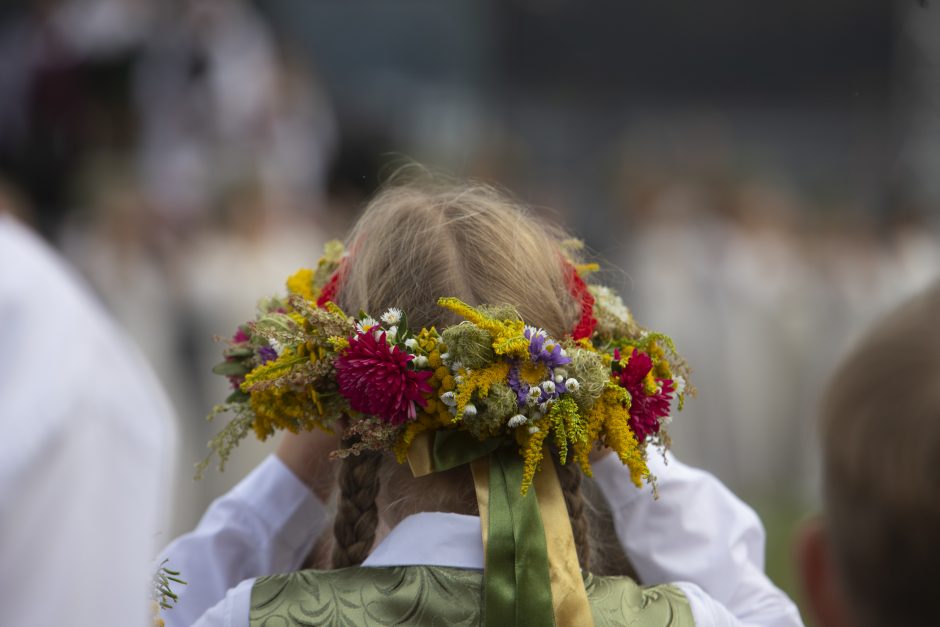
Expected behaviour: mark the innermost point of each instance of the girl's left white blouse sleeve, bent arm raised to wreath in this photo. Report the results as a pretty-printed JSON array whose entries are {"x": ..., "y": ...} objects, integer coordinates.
[{"x": 265, "y": 525}]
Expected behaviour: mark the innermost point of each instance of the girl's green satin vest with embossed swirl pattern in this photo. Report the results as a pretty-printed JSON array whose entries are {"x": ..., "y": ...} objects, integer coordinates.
[{"x": 439, "y": 597}]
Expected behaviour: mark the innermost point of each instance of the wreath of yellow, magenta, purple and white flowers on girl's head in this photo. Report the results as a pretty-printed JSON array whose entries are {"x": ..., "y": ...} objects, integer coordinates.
[{"x": 303, "y": 364}]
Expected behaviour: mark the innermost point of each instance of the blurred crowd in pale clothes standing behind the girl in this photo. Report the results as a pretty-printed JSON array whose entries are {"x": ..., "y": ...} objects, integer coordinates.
[{"x": 186, "y": 160}]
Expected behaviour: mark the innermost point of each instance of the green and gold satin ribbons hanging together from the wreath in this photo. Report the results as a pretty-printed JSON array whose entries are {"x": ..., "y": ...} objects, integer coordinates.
[{"x": 531, "y": 574}]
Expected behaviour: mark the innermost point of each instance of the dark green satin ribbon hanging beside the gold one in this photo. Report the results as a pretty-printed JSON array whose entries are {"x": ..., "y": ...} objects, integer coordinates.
[{"x": 516, "y": 580}]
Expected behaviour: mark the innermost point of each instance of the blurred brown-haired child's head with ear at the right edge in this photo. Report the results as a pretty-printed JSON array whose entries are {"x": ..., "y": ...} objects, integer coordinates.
[{"x": 873, "y": 559}]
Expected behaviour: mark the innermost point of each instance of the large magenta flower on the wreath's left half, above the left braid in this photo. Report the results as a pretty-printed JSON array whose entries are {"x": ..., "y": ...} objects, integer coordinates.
[{"x": 376, "y": 380}]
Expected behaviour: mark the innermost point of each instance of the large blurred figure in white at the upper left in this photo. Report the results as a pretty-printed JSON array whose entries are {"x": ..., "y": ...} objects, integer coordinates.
[{"x": 220, "y": 99}]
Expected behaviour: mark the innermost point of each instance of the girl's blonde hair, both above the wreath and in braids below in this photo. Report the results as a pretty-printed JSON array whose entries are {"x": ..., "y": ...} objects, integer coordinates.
[{"x": 414, "y": 243}]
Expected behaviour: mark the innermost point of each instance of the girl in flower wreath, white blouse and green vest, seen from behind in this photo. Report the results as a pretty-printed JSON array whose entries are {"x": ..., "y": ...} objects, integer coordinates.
[{"x": 501, "y": 377}]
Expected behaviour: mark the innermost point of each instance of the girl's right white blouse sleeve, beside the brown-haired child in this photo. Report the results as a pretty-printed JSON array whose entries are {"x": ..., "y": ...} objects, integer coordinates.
[{"x": 696, "y": 532}]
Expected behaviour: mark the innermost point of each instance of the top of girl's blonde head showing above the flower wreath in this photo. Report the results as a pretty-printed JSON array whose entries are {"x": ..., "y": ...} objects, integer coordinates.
[{"x": 418, "y": 242}]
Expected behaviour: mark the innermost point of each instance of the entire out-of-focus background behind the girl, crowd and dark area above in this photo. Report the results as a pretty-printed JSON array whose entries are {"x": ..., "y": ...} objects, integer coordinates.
[{"x": 761, "y": 179}]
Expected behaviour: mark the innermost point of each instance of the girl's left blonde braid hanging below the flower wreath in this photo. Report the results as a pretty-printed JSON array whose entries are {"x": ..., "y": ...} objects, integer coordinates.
[{"x": 357, "y": 514}]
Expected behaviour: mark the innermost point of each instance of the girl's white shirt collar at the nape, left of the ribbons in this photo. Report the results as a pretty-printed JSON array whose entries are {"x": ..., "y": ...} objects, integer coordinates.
[{"x": 432, "y": 539}]
